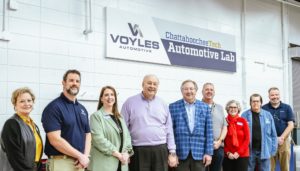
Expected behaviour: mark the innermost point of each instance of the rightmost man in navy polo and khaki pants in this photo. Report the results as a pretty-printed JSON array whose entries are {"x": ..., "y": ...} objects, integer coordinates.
[{"x": 284, "y": 122}]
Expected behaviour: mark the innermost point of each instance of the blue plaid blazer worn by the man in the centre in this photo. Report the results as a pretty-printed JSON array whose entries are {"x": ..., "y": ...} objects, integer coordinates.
[{"x": 198, "y": 142}]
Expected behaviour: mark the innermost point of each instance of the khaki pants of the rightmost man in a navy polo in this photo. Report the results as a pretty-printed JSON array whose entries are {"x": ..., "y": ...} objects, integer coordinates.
[{"x": 283, "y": 156}]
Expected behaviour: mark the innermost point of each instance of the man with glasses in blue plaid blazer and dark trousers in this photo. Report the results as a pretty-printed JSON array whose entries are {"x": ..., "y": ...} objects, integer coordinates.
[{"x": 192, "y": 125}]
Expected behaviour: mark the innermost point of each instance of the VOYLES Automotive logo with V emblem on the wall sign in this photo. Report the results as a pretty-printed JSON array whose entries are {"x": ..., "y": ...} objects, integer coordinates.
[{"x": 134, "y": 42}]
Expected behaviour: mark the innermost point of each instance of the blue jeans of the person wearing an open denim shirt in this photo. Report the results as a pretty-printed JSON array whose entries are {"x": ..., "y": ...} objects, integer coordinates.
[{"x": 263, "y": 164}]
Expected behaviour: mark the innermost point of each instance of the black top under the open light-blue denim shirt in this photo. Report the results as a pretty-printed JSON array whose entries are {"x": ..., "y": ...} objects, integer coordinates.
[{"x": 256, "y": 132}]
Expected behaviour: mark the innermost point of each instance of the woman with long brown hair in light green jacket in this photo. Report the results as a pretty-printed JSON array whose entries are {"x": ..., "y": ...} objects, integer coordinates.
[{"x": 111, "y": 142}]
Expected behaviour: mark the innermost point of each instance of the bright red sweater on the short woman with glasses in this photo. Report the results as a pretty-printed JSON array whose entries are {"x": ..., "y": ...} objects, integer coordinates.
[{"x": 243, "y": 136}]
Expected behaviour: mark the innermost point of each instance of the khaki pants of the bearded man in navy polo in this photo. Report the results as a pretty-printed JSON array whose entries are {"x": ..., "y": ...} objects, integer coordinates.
[{"x": 62, "y": 164}]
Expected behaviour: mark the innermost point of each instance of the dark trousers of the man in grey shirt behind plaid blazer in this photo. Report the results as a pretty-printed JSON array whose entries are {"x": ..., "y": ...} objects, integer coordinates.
[{"x": 217, "y": 160}]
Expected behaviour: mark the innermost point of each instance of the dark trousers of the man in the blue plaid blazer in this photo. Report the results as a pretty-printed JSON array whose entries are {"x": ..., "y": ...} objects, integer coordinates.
[{"x": 189, "y": 164}]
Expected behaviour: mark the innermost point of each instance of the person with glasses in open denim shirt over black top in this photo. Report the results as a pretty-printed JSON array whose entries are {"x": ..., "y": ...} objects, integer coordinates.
[{"x": 263, "y": 141}]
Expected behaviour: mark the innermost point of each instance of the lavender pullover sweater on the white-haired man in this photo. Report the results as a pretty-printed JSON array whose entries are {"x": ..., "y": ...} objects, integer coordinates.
[{"x": 149, "y": 121}]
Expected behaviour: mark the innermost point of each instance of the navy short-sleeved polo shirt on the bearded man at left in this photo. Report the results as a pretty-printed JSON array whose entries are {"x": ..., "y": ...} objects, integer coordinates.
[{"x": 71, "y": 118}]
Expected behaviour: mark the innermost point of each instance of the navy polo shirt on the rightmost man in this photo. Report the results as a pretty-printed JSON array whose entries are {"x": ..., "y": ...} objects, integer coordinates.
[{"x": 281, "y": 115}]
